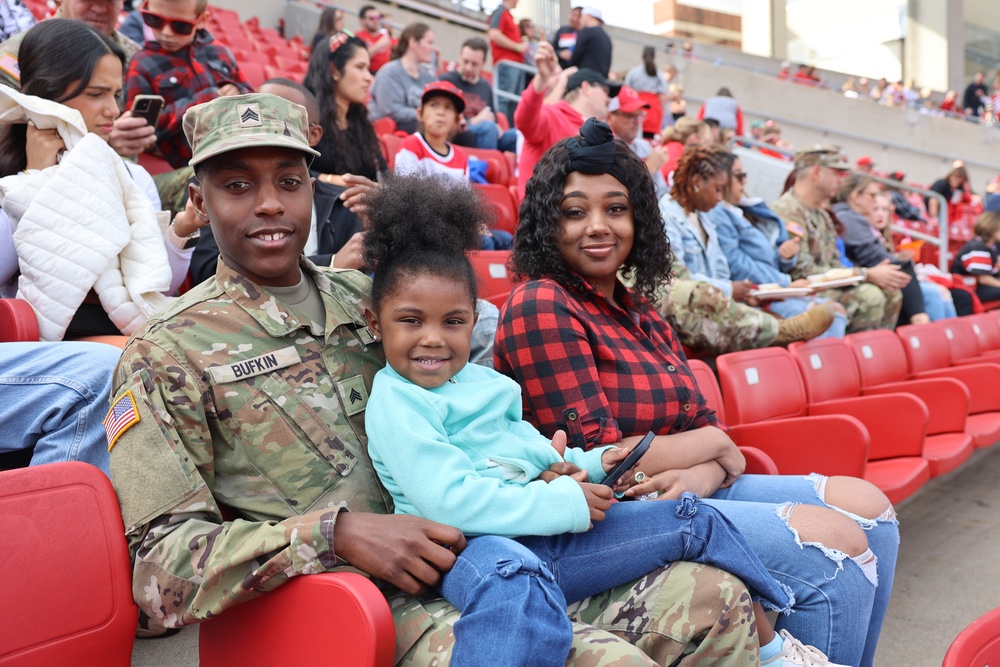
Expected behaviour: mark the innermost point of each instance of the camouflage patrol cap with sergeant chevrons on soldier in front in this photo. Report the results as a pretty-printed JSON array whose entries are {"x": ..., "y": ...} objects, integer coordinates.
[{"x": 229, "y": 123}]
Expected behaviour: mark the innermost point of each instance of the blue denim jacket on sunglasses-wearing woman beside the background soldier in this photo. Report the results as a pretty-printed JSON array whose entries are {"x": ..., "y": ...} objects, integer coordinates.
[{"x": 750, "y": 254}]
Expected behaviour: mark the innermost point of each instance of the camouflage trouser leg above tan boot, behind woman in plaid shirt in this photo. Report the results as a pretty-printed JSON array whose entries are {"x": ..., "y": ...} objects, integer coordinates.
[{"x": 707, "y": 320}]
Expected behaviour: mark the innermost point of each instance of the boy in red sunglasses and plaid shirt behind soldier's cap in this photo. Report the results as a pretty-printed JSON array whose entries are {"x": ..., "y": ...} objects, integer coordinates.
[{"x": 184, "y": 66}]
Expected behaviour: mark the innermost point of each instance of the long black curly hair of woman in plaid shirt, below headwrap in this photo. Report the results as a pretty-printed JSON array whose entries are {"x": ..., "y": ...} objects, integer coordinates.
[{"x": 536, "y": 251}]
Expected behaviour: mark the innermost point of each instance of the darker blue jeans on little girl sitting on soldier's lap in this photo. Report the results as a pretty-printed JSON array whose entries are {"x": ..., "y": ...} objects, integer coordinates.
[{"x": 513, "y": 593}]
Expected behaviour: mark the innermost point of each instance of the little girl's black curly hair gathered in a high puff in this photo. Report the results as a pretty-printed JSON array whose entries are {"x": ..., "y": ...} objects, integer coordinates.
[{"x": 419, "y": 224}]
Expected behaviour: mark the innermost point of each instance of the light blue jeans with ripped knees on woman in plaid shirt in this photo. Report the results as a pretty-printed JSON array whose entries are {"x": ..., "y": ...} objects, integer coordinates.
[{"x": 839, "y": 603}]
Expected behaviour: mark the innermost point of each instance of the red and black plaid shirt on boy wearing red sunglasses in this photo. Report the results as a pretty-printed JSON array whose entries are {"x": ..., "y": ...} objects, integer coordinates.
[{"x": 184, "y": 78}]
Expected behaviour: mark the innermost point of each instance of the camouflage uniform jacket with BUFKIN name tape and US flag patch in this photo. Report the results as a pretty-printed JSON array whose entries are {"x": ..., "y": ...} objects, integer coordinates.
[{"x": 241, "y": 405}]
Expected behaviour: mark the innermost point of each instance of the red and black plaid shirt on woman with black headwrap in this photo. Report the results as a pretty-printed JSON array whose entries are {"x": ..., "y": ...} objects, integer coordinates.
[{"x": 593, "y": 369}]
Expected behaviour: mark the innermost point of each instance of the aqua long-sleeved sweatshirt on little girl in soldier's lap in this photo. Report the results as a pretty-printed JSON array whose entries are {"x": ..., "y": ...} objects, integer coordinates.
[{"x": 461, "y": 455}]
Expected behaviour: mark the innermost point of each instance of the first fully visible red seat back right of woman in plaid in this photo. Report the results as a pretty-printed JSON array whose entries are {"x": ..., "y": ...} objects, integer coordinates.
[{"x": 761, "y": 384}]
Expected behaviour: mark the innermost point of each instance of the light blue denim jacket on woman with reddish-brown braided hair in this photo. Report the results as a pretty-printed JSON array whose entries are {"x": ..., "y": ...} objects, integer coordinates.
[{"x": 706, "y": 262}]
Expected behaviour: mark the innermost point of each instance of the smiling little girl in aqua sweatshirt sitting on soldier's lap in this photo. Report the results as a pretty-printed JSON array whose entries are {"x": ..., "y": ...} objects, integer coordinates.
[{"x": 447, "y": 440}]
